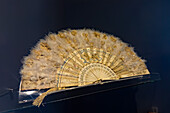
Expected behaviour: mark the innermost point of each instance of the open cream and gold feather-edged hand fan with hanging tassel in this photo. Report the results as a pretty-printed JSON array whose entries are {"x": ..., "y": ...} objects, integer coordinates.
[{"x": 76, "y": 58}]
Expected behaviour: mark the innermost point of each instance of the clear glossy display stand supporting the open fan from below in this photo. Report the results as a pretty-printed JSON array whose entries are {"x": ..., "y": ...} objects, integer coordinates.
[{"x": 26, "y": 98}]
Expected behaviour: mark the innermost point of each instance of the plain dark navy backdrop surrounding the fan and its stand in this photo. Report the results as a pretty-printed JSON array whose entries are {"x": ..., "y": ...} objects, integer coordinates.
[{"x": 145, "y": 24}]
